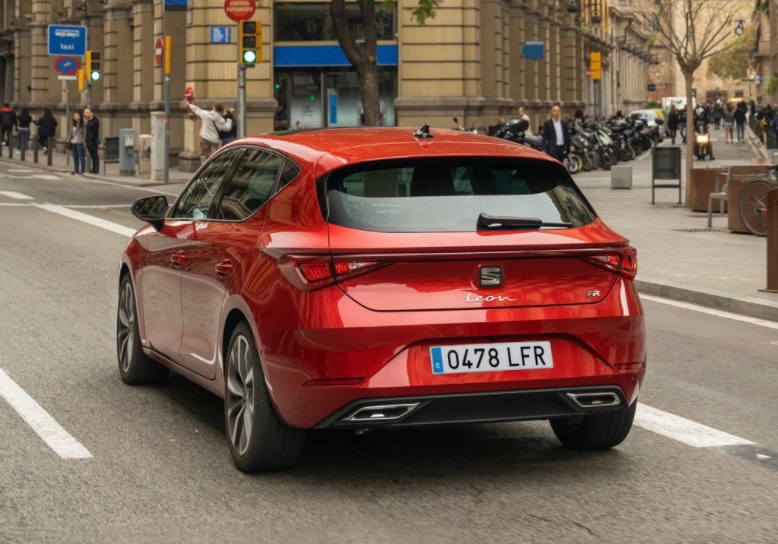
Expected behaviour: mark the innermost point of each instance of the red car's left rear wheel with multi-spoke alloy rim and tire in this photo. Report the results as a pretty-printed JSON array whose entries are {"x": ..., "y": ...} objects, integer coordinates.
[{"x": 258, "y": 440}]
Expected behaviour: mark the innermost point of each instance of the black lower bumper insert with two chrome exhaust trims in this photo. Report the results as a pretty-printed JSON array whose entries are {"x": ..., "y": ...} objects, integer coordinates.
[{"x": 475, "y": 408}]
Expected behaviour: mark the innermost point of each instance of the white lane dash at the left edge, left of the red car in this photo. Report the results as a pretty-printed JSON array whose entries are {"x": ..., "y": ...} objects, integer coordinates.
[{"x": 41, "y": 422}]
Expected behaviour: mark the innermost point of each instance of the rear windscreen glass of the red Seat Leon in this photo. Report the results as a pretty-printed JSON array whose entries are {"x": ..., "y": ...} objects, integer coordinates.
[{"x": 449, "y": 195}]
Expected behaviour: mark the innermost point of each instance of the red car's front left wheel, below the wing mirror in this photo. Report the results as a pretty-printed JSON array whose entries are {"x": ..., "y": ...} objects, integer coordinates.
[{"x": 135, "y": 368}]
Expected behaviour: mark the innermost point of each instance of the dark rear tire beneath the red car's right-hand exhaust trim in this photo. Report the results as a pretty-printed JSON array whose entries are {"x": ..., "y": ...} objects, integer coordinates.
[{"x": 595, "y": 431}]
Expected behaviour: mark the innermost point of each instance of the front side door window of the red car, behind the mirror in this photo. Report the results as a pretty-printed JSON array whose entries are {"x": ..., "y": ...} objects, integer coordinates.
[{"x": 198, "y": 196}]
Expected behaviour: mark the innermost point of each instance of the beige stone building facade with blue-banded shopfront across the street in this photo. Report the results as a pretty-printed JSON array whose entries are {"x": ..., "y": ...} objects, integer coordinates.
[{"x": 466, "y": 62}]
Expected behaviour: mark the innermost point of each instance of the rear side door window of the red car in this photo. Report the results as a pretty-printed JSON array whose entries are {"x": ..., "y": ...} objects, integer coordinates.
[{"x": 250, "y": 186}]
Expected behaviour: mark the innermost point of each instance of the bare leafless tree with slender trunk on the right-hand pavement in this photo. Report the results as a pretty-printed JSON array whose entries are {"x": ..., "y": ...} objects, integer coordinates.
[{"x": 693, "y": 30}]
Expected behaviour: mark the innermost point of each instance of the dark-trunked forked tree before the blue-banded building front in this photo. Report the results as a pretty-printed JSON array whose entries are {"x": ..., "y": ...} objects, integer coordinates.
[{"x": 362, "y": 51}]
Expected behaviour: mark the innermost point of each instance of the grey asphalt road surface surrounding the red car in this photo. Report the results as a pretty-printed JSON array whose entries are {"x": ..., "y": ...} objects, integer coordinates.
[{"x": 159, "y": 470}]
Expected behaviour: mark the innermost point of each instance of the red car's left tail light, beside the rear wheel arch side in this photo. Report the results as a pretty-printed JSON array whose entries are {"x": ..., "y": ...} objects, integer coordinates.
[{"x": 307, "y": 272}]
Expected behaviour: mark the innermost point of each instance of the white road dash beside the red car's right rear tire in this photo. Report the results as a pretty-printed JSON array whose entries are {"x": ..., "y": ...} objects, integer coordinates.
[{"x": 684, "y": 430}]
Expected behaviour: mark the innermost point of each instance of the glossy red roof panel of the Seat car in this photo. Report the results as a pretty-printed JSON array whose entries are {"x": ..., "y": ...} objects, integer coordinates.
[{"x": 334, "y": 147}]
